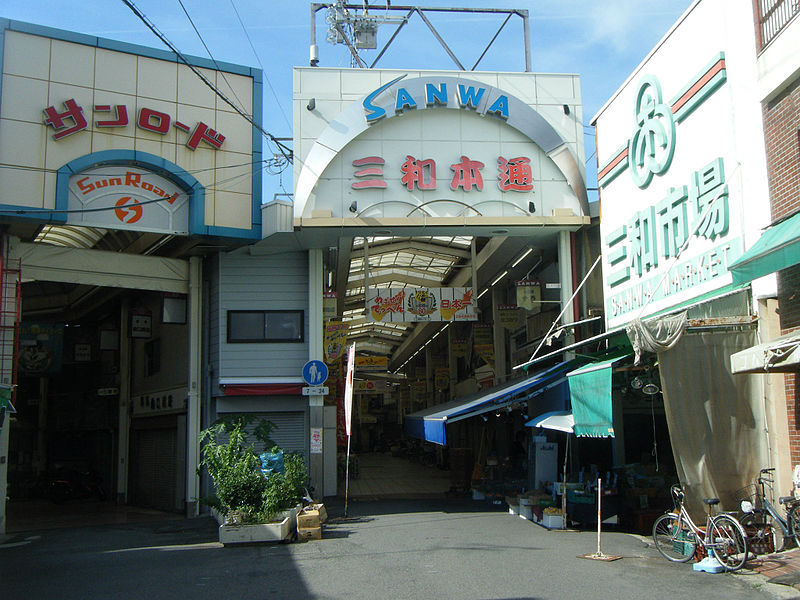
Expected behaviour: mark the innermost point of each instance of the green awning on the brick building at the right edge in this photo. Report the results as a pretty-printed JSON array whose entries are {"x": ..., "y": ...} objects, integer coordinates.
[{"x": 777, "y": 248}]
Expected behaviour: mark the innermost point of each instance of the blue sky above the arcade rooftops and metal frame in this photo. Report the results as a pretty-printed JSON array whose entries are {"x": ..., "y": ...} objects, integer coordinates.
[{"x": 603, "y": 42}]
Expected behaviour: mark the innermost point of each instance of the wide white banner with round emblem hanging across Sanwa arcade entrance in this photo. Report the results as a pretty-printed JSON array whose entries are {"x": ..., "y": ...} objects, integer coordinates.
[{"x": 414, "y": 305}]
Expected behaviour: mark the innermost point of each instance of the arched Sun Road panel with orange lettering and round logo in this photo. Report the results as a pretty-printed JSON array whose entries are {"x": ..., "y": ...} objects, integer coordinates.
[{"x": 135, "y": 198}]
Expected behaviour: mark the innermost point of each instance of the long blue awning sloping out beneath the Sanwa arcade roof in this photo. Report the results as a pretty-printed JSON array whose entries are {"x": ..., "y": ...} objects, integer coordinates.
[{"x": 429, "y": 424}]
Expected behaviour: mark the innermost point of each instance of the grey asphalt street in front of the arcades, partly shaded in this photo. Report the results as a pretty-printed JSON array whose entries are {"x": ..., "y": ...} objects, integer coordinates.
[{"x": 387, "y": 550}]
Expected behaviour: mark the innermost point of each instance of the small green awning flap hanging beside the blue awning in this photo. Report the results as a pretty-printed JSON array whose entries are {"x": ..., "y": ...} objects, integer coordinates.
[{"x": 590, "y": 394}]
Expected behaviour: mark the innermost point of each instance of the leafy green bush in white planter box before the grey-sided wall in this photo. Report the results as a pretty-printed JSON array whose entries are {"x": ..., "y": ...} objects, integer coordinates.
[{"x": 252, "y": 503}]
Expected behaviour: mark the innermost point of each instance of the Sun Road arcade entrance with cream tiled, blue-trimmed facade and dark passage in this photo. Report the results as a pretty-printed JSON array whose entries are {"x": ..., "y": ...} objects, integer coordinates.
[{"x": 109, "y": 199}]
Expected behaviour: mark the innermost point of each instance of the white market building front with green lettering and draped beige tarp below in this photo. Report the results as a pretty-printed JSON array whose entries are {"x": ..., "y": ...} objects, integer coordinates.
[{"x": 683, "y": 190}]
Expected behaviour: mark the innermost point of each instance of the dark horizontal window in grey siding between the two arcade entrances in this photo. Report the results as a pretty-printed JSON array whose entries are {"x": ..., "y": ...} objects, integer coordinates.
[{"x": 265, "y": 326}]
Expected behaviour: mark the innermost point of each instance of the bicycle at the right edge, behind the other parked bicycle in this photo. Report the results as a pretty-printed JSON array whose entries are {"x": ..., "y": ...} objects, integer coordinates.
[{"x": 767, "y": 530}]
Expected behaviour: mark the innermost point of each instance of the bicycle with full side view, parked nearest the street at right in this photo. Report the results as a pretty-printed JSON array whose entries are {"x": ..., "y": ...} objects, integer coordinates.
[{"x": 676, "y": 535}]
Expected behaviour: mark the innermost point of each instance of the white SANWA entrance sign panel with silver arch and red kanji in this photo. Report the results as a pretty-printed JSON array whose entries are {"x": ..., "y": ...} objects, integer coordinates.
[{"x": 437, "y": 146}]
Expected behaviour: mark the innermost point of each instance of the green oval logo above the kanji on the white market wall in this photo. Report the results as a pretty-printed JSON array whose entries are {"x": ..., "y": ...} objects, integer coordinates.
[{"x": 652, "y": 144}]
